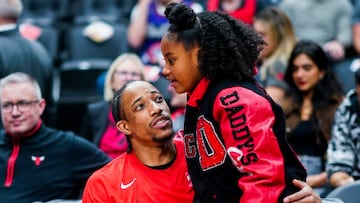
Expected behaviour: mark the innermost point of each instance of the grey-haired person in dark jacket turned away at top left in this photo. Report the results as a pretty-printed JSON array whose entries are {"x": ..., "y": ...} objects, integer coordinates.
[{"x": 23, "y": 55}]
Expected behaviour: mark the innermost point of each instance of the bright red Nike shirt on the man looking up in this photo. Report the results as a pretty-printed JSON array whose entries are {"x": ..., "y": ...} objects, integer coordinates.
[{"x": 127, "y": 180}]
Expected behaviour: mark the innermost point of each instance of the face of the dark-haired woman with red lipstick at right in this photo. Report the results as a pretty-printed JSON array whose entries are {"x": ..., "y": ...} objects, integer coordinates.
[{"x": 306, "y": 73}]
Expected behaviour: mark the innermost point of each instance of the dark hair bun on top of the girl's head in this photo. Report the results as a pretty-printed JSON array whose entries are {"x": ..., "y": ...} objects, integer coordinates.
[{"x": 180, "y": 15}]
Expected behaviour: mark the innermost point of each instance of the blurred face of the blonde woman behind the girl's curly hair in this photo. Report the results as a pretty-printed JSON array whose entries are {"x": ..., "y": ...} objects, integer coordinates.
[{"x": 263, "y": 29}]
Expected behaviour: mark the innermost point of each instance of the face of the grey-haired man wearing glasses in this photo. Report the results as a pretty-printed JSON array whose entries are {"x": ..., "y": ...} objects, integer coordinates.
[{"x": 21, "y": 118}]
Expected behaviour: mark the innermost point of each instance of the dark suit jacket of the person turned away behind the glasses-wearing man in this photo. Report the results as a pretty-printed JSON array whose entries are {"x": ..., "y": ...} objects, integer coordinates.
[{"x": 18, "y": 54}]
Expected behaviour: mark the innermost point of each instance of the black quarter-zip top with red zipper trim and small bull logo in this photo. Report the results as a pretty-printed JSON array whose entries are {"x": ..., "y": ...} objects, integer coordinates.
[{"x": 46, "y": 164}]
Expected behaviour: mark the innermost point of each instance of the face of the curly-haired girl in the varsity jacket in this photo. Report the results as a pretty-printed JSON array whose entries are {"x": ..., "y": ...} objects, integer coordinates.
[{"x": 181, "y": 65}]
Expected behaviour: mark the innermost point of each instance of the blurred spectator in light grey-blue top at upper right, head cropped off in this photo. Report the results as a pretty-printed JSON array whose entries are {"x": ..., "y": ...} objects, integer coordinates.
[{"x": 330, "y": 29}]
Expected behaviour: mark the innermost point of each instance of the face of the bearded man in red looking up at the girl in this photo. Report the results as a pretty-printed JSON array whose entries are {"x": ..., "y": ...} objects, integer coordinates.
[{"x": 148, "y": 121}]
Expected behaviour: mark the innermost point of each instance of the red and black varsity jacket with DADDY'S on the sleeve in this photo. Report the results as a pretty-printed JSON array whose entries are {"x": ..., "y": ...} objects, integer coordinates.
[{"x": 236, "y": 150}]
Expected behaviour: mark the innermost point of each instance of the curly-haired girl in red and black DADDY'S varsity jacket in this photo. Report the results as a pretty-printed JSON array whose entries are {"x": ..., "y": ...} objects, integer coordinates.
[{"x": 234, "y": 133}]
